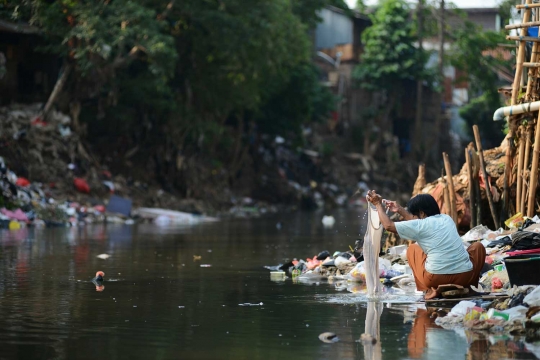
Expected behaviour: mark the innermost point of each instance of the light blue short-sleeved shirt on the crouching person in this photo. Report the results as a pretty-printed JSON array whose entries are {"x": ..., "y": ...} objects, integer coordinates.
[{"x": 438, "y": 237}]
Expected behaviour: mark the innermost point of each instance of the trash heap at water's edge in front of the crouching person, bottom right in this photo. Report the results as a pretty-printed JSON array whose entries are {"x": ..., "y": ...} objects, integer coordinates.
[{"x": 519, "y": 314}]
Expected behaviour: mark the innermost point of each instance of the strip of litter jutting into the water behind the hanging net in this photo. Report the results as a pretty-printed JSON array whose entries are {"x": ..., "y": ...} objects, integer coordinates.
[{"x": 347, "y": 266}]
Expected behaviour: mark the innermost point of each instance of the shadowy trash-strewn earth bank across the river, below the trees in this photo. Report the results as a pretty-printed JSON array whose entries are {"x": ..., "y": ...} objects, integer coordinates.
[{"x": 48, "y": 169}]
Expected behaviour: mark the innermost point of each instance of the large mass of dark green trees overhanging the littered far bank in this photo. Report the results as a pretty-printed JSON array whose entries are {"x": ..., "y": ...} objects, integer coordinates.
[{"x": 185, "y": 77}]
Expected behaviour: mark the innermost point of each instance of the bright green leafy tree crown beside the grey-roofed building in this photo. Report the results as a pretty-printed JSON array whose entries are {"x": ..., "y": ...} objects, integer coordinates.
[{"x": 390, "y": 55}]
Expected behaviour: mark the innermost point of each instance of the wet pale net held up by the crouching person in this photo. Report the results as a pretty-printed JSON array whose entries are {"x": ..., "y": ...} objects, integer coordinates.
[{"x": 372, "y": 247}]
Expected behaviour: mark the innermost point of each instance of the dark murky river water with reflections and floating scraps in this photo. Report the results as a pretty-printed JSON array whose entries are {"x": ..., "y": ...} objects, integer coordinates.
[{"x": 160, "y": 303}]
